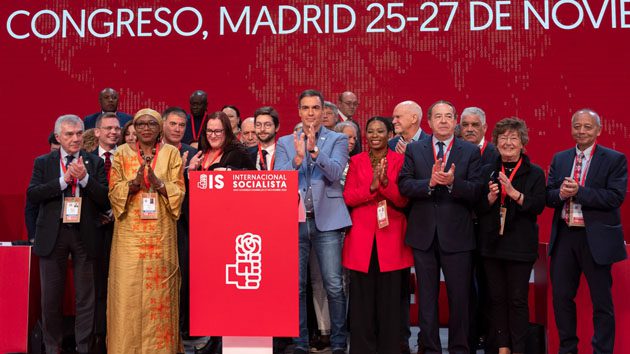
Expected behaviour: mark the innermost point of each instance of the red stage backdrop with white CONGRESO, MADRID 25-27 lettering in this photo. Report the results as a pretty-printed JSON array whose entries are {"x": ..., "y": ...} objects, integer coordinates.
[{"x": 538, "y": 60}]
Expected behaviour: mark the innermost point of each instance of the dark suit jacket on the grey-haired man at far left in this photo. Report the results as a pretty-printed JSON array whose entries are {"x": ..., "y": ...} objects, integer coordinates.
[{"x": 44, "y": 190}]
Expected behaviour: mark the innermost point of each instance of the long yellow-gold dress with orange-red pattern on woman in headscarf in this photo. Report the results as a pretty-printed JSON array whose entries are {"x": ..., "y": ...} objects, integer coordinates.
[{"x": 144, "y": 278}]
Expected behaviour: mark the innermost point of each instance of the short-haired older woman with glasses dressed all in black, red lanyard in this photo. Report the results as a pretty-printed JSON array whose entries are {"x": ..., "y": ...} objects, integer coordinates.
[{"x": 513, "y": 197}]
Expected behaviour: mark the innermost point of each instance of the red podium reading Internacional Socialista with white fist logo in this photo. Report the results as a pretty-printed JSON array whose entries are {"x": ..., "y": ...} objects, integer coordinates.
[{"x": 244, "y": 257}]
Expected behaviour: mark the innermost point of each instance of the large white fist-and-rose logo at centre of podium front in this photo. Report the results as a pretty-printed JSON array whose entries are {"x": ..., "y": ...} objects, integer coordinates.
[{"x": 246, "y": 273}]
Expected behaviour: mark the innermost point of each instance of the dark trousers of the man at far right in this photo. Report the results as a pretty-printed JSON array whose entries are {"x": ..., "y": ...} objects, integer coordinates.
[{"x": 570, "y": 258}]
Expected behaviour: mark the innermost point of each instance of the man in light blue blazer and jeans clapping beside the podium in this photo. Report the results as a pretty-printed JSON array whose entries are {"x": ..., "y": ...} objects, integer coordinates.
[{"x": 320, "y": 156}]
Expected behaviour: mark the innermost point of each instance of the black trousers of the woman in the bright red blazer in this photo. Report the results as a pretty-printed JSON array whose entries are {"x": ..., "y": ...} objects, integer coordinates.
[{"x": 375, "y": 311}]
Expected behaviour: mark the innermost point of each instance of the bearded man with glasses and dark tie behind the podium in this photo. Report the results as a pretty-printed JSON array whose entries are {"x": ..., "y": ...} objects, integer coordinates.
[{"x": 267, "y": 124}]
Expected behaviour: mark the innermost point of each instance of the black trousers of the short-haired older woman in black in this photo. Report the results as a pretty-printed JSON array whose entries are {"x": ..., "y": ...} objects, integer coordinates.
[{"x": 508, "y": 286}]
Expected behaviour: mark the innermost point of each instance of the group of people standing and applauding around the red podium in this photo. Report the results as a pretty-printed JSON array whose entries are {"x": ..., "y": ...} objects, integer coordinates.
[{"x": 463, "y": 206}]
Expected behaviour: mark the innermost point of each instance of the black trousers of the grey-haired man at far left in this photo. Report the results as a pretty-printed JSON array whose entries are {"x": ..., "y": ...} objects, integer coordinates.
[{"x": 53, "y": 280}]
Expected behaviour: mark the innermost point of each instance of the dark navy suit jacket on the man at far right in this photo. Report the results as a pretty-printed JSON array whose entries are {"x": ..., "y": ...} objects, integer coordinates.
[{"x": 601, "y": 196}]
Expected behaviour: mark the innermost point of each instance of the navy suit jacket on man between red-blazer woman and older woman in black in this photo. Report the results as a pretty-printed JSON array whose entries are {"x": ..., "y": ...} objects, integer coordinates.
[{"x": 447, "y": 212}]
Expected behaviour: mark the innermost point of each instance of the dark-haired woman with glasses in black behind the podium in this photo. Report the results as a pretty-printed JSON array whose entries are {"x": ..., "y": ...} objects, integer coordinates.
[{"x": 219, "y": 148}]
